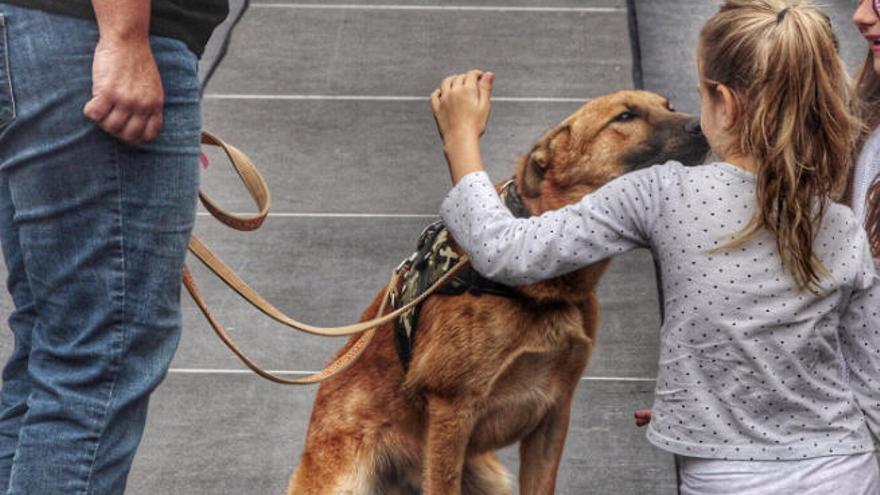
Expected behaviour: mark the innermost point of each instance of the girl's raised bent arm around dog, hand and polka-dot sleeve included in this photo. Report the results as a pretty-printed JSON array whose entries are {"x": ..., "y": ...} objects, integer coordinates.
[{"x": 610, "y": 221}]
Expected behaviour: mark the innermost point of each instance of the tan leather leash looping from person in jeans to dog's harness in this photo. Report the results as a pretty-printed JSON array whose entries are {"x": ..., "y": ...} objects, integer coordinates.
[{"x": 259, "y": 192}]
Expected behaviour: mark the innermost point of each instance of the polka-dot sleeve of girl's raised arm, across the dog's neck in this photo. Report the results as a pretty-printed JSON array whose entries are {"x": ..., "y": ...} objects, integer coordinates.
[{"x": 608, "y": 222}]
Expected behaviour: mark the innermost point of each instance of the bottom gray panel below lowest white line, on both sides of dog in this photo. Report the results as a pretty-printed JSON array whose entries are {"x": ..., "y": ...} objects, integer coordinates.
[{"x": 238, "y": 435}]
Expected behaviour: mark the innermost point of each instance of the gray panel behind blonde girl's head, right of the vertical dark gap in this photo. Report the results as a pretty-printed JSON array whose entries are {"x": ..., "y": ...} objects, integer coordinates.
[{"x": 668, "y": 31}]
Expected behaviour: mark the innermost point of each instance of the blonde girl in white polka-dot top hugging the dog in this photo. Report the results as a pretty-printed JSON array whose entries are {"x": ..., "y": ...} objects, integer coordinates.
[{"x": 769, "y": 373}]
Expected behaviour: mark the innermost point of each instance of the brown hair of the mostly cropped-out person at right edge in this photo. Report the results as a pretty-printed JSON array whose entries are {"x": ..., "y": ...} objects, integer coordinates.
[{"x": 868, "y": 88}]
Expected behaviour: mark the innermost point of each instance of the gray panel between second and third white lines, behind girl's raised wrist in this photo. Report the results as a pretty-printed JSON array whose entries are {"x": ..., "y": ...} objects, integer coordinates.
[{"x": 359, "y": 156}]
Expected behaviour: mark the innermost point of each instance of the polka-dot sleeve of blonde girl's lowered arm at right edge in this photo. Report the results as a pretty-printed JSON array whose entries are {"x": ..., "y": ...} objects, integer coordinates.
[{"x": 860, "y": 342}]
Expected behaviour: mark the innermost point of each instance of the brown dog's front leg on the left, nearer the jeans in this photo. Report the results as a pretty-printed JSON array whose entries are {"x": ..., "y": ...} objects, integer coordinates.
[{"x": 449, "y": 429}]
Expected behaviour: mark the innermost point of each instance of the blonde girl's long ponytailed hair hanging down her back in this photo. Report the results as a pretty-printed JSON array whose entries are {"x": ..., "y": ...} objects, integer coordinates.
[{"x": 797, "y": 117}]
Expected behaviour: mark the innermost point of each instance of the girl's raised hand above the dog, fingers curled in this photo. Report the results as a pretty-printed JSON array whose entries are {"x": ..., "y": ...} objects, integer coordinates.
[{"x": 461, "y": 105}]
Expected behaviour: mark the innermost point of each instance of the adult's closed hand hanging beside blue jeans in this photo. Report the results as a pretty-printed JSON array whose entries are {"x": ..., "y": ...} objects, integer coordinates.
[{"x": 127, "y": 94}]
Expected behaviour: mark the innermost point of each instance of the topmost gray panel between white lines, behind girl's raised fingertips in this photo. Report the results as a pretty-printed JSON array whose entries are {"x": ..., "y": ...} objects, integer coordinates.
[{"x": 406, "y": 53}]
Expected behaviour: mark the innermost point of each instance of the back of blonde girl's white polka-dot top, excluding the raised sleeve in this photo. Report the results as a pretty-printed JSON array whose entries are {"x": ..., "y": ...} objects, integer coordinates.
[{"x": 751, "y": 366}]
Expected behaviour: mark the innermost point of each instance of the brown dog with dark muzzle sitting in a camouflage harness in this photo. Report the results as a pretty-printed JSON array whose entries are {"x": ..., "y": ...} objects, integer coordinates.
[{"x": 489, "y": 371}]
